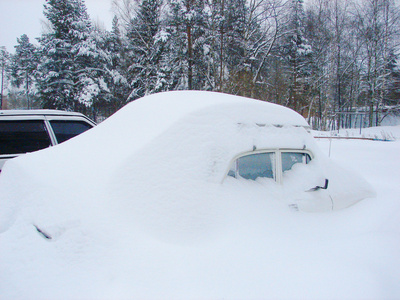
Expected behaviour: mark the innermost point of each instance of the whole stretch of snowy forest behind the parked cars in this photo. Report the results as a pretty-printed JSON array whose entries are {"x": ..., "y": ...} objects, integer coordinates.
[{"x": 327, "y": 59}]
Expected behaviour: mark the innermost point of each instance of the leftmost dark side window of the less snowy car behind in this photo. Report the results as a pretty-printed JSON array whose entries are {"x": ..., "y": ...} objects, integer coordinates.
[{"x": 18, "y": 137}]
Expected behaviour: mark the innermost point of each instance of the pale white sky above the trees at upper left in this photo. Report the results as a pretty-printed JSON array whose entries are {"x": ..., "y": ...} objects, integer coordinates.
[{"x": 18, "y": 17}]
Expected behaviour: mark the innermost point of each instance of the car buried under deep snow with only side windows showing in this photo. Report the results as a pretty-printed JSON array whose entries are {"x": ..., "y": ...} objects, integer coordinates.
[{"x": 176, "y": 151}]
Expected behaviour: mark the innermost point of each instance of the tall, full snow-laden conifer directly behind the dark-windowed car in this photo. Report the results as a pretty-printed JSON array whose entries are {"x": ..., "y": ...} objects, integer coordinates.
[{"x": 71, "y": 73}]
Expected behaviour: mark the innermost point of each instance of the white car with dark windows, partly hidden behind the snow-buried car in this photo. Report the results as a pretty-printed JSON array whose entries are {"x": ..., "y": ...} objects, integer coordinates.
[{"x": 23, "y": 131}]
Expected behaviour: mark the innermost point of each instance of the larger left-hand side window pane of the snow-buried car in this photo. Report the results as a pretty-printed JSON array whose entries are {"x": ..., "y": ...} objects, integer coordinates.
[{"x": 256, "y": 165}]
